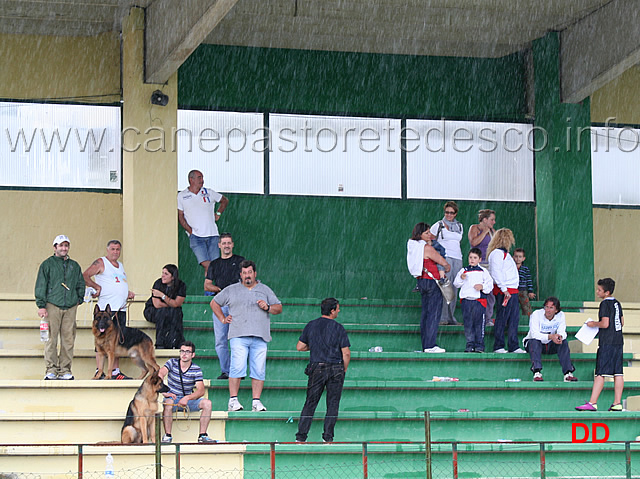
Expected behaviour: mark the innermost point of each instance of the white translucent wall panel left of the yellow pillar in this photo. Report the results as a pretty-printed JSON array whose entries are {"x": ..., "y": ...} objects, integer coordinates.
[{"x": 60, "y": 146}]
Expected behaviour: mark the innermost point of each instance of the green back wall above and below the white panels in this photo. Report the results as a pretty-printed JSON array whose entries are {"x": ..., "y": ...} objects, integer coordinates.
[{"x": 346, "y": 247}]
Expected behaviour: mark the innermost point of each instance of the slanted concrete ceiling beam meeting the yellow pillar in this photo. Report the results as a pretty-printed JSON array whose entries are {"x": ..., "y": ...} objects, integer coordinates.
[{"x": 174, "y": 29}]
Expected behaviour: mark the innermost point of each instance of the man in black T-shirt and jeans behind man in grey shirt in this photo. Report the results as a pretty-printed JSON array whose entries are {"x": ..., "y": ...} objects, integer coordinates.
[{"x": 222, "y": 272}]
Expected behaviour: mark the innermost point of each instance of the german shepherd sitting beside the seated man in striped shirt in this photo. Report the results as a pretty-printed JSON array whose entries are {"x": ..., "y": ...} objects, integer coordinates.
[{"x": 140, "y": 425}]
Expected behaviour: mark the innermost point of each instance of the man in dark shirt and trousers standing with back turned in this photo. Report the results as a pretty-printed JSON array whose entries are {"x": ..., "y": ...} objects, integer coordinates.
[{"x": 329, "y": 359}]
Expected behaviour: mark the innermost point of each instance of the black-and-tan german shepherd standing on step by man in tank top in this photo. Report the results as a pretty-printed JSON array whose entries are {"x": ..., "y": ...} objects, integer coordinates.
[{"x": 137, "y": 345}]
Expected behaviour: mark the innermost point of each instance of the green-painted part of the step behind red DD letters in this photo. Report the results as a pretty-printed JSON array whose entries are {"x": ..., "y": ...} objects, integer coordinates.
[{"x": 445, "y": 426}]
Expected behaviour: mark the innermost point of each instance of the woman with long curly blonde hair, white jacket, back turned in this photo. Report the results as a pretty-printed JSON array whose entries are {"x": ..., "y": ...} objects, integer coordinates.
[{"x": 504, "y": 272}]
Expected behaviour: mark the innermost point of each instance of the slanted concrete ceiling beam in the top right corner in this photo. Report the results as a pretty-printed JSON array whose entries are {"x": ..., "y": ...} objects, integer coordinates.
[{"x": 598, "y": 49}]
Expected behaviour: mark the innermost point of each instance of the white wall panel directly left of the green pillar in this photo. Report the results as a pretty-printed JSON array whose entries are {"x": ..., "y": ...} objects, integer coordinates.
[{"x": 469, "y": 160}]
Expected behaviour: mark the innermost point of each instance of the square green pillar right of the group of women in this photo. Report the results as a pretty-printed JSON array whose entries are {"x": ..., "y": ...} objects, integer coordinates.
[{"x": 563, "y": 183}]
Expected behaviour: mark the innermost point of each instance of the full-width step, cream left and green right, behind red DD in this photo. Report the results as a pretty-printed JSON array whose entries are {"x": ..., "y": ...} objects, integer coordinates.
[{"x": 281, "y": 426}]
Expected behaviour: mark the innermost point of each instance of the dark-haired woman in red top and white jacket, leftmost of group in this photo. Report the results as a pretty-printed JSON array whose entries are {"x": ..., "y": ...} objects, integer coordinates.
[{"x": 422, "y": 259}]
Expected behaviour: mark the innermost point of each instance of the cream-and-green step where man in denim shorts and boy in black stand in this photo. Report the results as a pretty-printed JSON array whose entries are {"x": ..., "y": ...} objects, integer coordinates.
[{"x": 289, "y": 395}]
